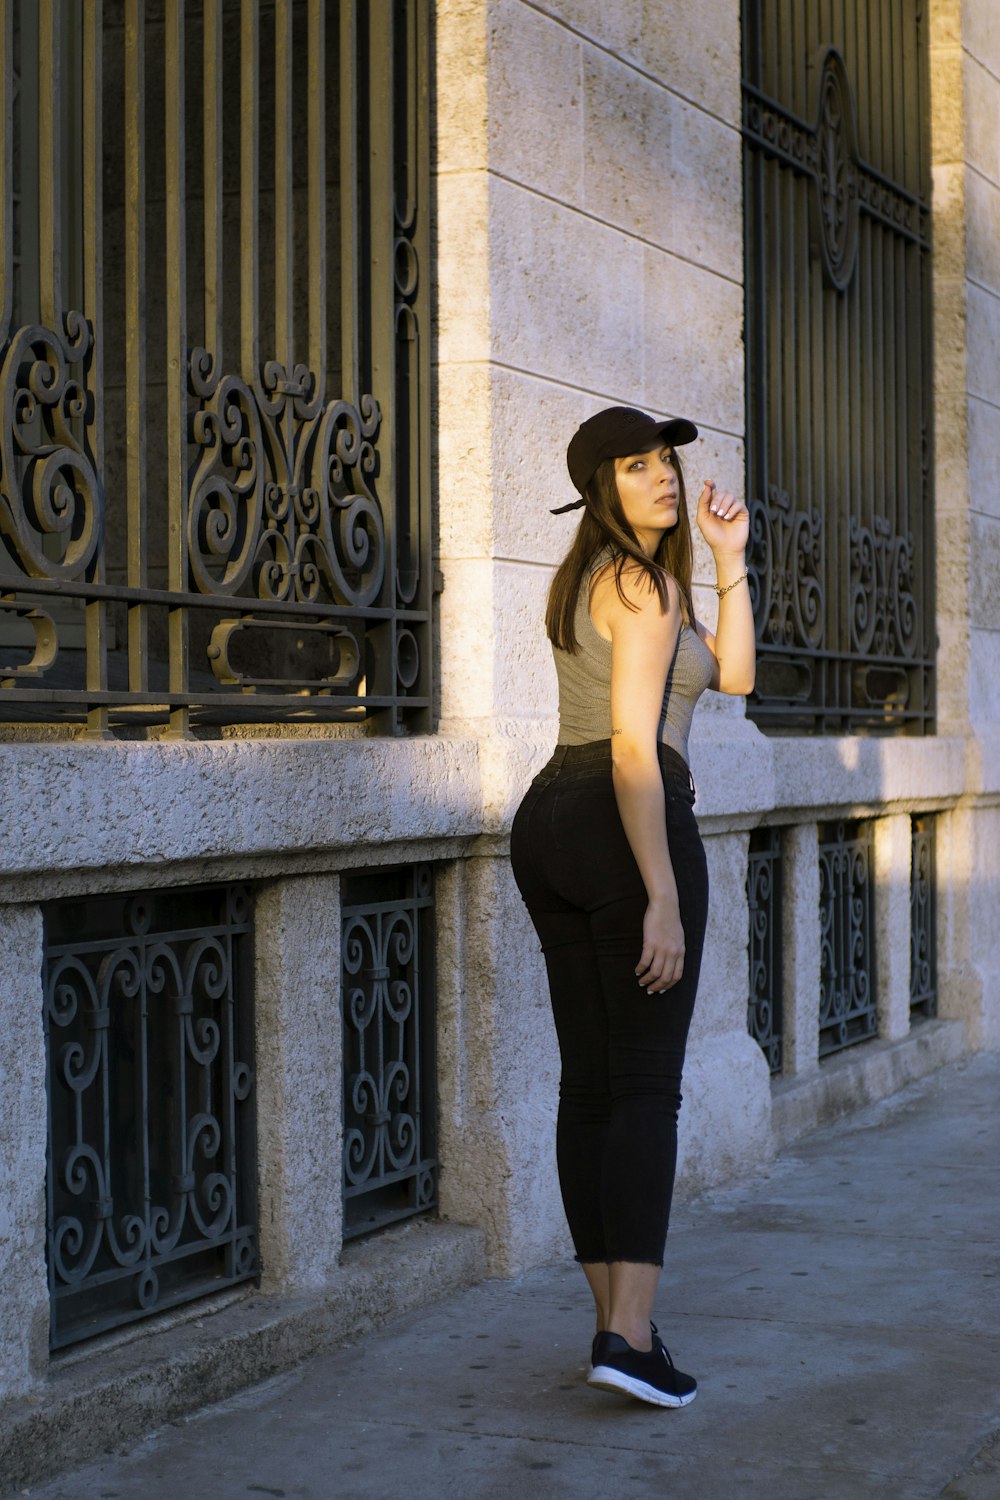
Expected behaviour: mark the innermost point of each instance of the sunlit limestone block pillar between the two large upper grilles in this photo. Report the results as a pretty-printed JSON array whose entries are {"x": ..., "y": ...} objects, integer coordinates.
[{"x": 591, "y": 251}]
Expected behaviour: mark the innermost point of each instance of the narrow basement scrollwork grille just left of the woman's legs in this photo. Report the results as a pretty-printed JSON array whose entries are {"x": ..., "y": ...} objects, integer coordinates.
[{"x": 391, "y": 1169}]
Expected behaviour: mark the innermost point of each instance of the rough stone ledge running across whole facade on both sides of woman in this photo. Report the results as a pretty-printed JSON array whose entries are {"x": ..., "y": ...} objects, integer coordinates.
[{"x": 247, "y": 809}]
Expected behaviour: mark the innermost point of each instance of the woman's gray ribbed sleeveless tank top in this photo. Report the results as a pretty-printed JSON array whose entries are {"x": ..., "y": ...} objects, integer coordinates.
[{"x": 585, "y": 682}]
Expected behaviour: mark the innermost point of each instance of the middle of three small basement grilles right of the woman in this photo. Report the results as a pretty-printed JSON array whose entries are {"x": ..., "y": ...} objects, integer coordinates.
[{"x": 848, "y": 935}]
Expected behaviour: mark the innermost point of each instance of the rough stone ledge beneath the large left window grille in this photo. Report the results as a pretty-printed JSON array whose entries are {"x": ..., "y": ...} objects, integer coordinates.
[{"x": 110, "y": 806}]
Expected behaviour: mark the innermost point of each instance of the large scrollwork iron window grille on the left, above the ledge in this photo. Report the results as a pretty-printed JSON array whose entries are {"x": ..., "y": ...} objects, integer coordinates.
[{"x": 215, "y": 364}]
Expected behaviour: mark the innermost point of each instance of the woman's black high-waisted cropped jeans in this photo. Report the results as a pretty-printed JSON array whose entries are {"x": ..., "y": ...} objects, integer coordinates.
[{"x": 623, "y": 1051}]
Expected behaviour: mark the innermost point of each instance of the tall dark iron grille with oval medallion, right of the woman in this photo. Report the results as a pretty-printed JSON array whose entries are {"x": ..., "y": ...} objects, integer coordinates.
[{"x": 839, "y": 368}]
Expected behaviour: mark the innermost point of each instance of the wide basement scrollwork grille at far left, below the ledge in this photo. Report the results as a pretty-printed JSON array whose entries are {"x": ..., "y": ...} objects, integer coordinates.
[{"x": 152, "y": 1157}]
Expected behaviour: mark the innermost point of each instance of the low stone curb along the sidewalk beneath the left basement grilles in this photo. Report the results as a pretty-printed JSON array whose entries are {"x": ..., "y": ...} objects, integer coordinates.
[{"x": 110, "y": 1396}]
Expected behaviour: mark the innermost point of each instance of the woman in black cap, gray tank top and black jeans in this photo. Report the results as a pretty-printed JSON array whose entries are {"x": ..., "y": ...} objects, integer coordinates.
[{"x": 609, "y": 862}]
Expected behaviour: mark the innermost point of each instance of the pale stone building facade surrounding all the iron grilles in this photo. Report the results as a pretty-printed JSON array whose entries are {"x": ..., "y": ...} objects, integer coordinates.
[{"x": 587, "y": 245}]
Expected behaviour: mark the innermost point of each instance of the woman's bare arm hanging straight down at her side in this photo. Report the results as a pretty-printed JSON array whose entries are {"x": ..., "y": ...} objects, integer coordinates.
[{"x": 642, "y": 649}]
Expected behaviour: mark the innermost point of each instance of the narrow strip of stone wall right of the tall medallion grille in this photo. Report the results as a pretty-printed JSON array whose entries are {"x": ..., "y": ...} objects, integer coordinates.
[{"x": 966, "y": 175}]
